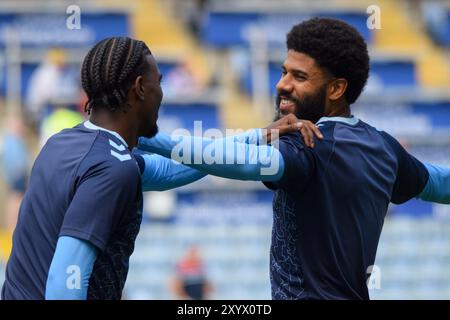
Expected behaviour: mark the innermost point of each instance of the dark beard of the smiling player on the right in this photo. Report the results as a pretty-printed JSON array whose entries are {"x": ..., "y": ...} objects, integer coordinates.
[{"x": 311, "y": 107}]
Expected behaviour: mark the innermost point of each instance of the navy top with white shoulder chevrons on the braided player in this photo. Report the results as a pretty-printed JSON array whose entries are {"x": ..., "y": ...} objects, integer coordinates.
[{"x": 85, "y": 183}]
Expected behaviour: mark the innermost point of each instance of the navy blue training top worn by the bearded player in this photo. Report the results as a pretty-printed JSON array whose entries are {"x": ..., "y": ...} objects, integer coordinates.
[{"x": 330, "y": 205}]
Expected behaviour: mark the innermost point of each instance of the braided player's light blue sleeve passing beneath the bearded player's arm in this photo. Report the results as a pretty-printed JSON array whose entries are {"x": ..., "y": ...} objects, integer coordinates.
[{"x": 164, "y": 174}]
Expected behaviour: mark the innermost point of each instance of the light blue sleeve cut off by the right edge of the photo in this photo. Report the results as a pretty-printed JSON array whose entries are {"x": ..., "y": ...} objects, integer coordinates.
[{"x": 437, "y": 188}]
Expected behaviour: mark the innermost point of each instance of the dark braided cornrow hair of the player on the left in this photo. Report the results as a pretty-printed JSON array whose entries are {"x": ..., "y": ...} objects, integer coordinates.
[{"x": 109, "y": 69}]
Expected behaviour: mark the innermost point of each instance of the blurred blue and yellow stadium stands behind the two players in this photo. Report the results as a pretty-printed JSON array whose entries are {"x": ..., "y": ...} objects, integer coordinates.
[{"x": 221, "y": 60}]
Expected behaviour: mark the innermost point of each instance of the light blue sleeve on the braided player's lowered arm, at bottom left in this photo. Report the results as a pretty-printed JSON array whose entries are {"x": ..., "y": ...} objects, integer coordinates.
[{"x": 70, "y": 270}]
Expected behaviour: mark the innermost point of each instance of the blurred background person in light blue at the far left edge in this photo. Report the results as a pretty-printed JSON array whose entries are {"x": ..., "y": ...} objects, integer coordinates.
[{"x": 15, "y": 167}]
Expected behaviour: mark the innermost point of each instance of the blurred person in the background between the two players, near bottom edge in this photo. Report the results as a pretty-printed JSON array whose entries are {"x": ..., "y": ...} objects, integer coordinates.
[{"x": 190, "y": 281}]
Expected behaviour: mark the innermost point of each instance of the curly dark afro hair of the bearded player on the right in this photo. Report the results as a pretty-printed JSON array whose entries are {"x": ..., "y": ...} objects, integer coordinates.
[{"x": 335, "y": 46}]
